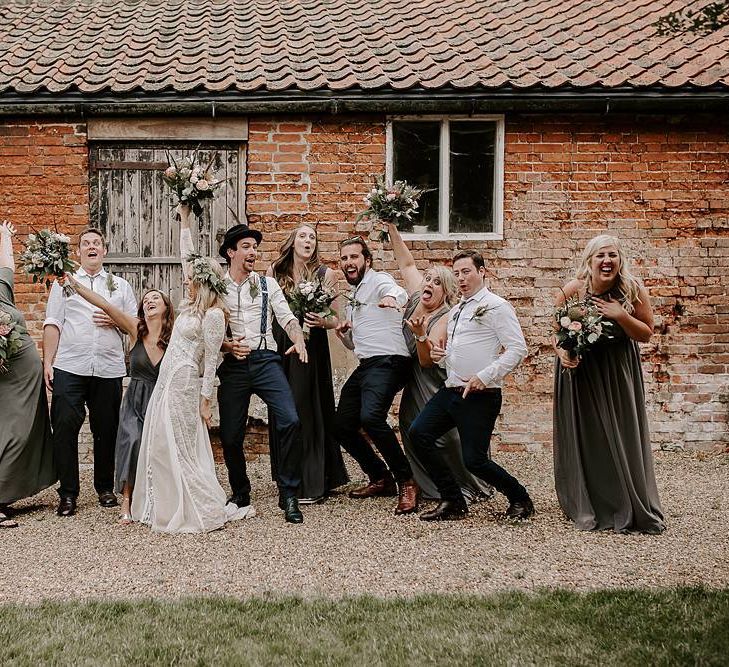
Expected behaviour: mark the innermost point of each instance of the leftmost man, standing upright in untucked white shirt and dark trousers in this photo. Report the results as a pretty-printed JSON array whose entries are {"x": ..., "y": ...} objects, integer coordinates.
[{"x": 83, "y": 363}]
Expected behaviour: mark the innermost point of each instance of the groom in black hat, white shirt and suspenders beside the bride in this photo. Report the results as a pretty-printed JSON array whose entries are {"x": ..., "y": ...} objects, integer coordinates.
[{"x": 252, "y": 366}]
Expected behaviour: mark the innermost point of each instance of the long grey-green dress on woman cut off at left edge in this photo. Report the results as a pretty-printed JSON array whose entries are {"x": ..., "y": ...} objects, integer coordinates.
[{"x": 26, "y": 448}]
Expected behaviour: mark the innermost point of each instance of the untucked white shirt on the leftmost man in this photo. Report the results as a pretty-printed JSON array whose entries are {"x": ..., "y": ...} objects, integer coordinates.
[{"x": 85, "y": 348}]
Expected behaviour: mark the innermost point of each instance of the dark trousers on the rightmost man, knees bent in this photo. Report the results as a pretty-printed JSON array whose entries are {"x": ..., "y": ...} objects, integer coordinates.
[{"x": 474, "y": 417}]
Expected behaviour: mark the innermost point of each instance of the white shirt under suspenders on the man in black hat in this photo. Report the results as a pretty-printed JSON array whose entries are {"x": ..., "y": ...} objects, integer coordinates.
[{"x": 245, "y": 312}]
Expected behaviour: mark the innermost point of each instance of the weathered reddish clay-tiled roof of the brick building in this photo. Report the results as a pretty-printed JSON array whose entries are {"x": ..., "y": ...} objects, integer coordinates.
[{"x": 126, "y": 46}]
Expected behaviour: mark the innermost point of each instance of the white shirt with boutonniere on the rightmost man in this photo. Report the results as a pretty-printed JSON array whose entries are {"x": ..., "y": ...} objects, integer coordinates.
[{"x": 479, "y": 327}]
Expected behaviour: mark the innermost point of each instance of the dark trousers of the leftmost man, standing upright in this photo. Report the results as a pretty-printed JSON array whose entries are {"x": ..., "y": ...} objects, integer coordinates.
[{"x": 103, "y": 398}]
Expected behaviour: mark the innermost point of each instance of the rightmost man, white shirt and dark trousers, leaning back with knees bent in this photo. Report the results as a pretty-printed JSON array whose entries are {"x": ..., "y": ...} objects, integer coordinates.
[{"x": 470, "y": 342}]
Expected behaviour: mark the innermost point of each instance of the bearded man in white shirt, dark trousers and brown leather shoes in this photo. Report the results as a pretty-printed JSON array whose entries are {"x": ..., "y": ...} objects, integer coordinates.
[{"x": 373, "y": 329}]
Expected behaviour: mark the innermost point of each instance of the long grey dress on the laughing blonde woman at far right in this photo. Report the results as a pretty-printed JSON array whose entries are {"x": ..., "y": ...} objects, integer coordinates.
[{"x": 603, "y": 464}]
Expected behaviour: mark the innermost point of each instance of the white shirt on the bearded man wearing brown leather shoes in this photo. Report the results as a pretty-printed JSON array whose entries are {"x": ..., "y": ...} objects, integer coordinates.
[{"x": 377, "y": 331}]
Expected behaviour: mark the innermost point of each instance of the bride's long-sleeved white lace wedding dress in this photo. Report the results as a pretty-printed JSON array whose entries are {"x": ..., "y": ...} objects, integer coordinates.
[{"x": 176, "y": 489}]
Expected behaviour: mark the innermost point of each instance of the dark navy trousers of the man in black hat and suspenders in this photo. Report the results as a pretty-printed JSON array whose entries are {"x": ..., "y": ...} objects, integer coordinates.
[{"x": 260, "y": 373}]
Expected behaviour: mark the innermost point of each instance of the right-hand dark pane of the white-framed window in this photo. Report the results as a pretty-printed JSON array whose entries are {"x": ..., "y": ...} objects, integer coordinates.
[{"x": 472, "y": 176}]
